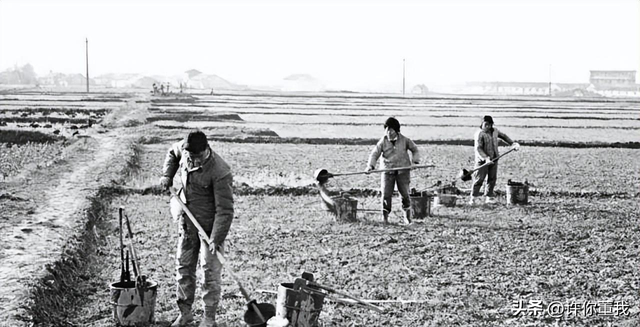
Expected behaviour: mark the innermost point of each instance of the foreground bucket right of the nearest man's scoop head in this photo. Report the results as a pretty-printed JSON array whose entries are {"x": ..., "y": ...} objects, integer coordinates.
[{"x": 301, "y": 307}]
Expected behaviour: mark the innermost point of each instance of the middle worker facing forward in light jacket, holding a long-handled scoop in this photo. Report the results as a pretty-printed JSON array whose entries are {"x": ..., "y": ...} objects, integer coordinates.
[{"x": 394, "y": 149}]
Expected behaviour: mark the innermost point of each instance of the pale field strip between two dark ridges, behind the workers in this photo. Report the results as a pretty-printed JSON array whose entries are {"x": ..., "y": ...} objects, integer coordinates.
[{"x": 548, "y": 169}]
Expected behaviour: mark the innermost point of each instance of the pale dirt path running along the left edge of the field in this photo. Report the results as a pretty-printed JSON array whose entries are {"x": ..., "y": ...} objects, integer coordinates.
[{"x": 34, "y": 240}]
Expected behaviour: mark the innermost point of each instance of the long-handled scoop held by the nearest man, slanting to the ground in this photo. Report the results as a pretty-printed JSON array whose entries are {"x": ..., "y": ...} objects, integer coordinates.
[{"x": 267, "y": 308}]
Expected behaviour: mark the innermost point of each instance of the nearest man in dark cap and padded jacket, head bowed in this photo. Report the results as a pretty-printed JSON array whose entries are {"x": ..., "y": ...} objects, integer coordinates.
[{"x": 206, "y": 188}]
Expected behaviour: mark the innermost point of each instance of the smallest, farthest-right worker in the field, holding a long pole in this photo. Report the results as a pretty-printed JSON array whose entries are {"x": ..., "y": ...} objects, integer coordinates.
[{"x": 485, "y": 144}]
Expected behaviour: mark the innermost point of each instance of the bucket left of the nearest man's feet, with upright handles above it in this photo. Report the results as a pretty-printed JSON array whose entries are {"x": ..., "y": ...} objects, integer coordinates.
[{"x": 130, "y": 307}]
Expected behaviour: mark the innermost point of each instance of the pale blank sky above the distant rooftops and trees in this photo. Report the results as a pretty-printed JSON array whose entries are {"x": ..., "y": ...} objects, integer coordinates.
[{"x": 344, "y": 43}]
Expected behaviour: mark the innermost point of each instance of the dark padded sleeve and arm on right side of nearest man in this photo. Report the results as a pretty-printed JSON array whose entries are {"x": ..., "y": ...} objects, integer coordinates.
[{"x": 223, "y": 193}]
